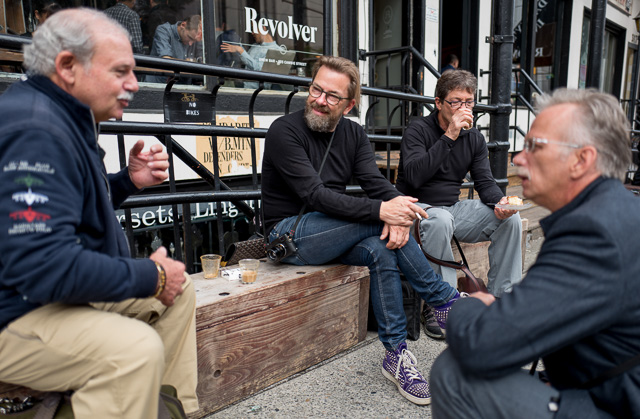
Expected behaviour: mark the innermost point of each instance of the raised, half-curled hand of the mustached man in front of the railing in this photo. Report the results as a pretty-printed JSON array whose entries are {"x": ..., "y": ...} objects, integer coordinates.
[{"x": 148, "y": 168}]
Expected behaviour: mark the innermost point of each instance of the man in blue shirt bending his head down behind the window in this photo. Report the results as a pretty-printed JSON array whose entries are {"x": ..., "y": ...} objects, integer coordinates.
[{"x": 178, "y": 41}]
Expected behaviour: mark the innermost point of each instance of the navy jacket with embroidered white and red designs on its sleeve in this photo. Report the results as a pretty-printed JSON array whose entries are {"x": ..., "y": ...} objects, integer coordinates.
[{"x": 59, "y": 238}]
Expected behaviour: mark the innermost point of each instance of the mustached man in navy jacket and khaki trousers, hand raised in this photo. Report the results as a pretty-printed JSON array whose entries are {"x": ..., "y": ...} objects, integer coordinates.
[{"x": 77, "y": 312}]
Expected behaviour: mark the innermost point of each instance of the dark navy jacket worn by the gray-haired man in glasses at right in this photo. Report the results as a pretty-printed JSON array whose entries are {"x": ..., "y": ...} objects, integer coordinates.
[{"x": 578, "y": 307}]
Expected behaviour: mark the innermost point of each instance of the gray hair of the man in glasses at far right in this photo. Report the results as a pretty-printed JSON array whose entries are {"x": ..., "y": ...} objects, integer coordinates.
[{"x": 599, "y": 122}]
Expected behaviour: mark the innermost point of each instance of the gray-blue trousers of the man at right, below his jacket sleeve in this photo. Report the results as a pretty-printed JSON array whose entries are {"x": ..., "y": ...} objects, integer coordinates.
[{"x": 518, "y": 395}]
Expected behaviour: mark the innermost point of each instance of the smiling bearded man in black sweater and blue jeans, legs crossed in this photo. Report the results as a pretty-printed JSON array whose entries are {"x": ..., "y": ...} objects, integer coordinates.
[{"x": 368, "y": 231}]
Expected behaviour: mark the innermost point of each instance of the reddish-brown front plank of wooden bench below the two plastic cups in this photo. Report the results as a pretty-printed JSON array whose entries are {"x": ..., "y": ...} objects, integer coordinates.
[{"x": 244, "y": 355}]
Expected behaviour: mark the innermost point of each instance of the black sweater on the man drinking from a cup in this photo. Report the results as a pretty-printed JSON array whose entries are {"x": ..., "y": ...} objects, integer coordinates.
[{"x": 432, "y": 166}]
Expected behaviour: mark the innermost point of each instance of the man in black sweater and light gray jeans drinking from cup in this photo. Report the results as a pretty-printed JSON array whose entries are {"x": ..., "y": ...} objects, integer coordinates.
[{"x": 437, "y": 152}]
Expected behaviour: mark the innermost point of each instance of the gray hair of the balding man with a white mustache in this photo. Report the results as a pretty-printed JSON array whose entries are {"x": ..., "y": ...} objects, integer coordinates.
[{"x": 72, "y": 30}]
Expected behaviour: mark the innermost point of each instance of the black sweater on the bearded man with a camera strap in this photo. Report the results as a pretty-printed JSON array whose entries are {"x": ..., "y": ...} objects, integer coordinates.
[{"x": 292, "y": 156}]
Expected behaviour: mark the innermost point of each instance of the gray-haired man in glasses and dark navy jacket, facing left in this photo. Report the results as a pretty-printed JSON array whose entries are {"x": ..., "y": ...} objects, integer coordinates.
[{"x": 578, "y": 307}]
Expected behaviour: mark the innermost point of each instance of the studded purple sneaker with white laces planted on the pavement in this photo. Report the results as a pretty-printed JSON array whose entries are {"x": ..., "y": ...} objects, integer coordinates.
[{"x": 399, "y": 366}]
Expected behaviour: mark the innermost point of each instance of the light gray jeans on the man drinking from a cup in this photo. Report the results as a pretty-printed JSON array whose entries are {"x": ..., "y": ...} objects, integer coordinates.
[{"x": 472, "y": 222}]
